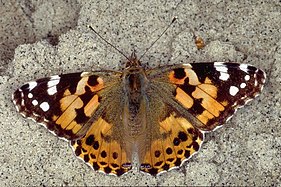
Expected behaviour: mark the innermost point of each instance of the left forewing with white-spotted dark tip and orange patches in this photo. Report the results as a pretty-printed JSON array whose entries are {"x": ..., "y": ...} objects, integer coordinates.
[{"x": 64, "y": 104}]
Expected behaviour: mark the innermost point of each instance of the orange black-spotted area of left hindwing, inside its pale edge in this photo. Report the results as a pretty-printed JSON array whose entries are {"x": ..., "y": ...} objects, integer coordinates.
[{"x": 104, "y": 150}]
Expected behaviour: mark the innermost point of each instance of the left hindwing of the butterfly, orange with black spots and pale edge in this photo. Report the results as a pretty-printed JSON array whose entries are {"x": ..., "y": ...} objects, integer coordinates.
[{"x": 104, "y": 149}]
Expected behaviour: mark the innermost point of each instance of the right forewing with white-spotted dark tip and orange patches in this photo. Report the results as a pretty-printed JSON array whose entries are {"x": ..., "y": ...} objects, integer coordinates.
[{"x": 212, "y": 92}]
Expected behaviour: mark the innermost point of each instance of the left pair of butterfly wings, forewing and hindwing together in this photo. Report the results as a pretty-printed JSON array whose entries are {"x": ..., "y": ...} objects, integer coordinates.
[{"x": 81, "y": 107}]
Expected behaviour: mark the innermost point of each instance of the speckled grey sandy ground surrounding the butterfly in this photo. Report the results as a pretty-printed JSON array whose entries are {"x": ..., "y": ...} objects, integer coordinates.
[{"x": 246, "y": 151}]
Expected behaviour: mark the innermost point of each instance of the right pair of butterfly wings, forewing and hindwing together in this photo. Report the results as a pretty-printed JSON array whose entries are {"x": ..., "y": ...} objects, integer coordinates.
[{"x": 193, "y": 99}]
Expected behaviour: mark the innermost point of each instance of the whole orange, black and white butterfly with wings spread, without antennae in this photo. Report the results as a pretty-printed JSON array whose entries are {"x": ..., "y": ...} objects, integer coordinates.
[{"x": 160, "y": 113}]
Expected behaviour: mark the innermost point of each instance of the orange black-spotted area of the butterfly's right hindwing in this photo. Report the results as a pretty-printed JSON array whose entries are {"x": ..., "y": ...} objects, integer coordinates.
[{"x": 177, "y": 144}]
